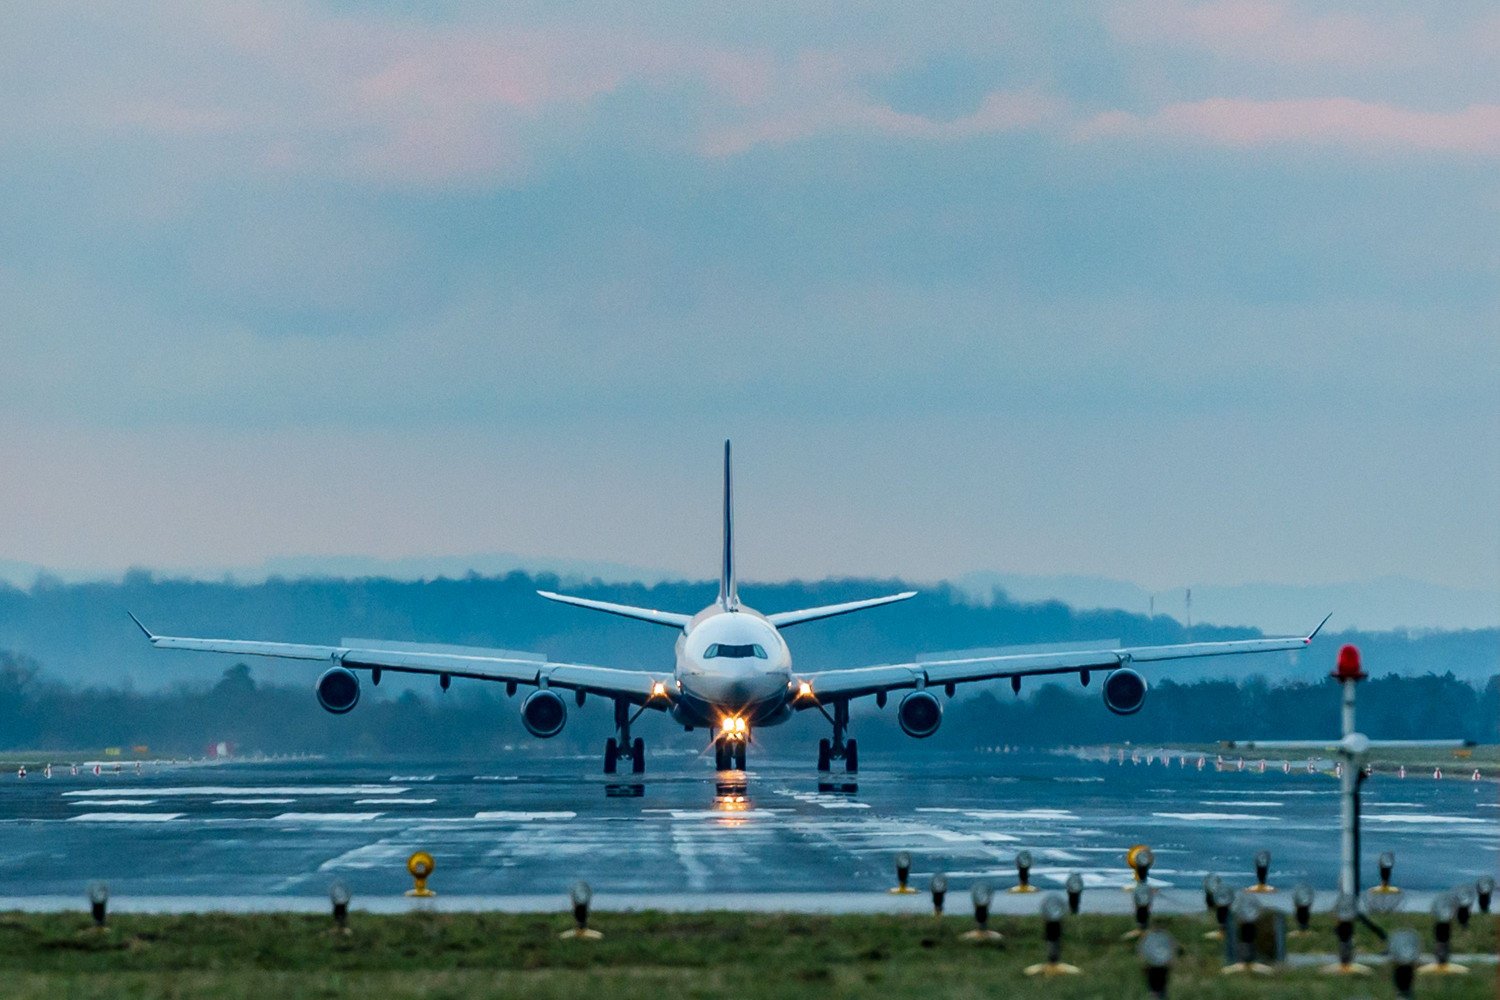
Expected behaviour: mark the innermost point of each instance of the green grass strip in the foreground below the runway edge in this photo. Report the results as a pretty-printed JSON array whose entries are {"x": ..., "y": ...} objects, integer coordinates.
[{"x": 658, "y": 956}]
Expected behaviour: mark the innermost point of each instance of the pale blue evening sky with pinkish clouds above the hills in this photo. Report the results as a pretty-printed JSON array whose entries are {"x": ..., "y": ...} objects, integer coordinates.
[{"x": 1157, "y": 290}]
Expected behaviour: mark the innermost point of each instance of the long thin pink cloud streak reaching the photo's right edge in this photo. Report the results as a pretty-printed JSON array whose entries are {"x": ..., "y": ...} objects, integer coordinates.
[{"x": 1322, "y": 121}]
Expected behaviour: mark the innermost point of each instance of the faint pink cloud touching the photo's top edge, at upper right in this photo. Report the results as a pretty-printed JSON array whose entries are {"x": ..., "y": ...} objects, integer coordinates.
[{"x": 1268, "y": 31}]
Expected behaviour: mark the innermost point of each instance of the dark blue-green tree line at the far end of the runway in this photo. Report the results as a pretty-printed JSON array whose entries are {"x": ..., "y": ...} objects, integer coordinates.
[{"x": 478, "y": 720}]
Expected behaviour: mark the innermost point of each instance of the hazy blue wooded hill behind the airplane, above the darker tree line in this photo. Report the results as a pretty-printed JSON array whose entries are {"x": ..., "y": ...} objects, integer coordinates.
[{"x": 79, "y": 632}]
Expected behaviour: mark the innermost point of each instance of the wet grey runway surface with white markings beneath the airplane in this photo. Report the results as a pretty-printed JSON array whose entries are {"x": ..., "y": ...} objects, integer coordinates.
[{"x": 289, "y": 830}]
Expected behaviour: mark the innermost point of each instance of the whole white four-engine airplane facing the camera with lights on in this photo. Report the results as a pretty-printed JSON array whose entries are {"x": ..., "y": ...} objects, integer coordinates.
[{"x": 733, "y": 672}]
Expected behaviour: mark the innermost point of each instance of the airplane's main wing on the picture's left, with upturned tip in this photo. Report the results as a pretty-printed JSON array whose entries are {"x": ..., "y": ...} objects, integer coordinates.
[{"x": 637, "y": 687}]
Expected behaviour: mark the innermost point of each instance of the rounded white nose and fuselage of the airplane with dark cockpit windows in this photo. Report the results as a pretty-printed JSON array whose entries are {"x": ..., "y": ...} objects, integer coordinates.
[{"x": 733, "y": 665}]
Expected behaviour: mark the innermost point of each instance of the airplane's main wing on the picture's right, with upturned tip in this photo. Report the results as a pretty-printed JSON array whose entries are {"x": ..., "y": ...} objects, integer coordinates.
[{"x": 856, "y": 683}]
